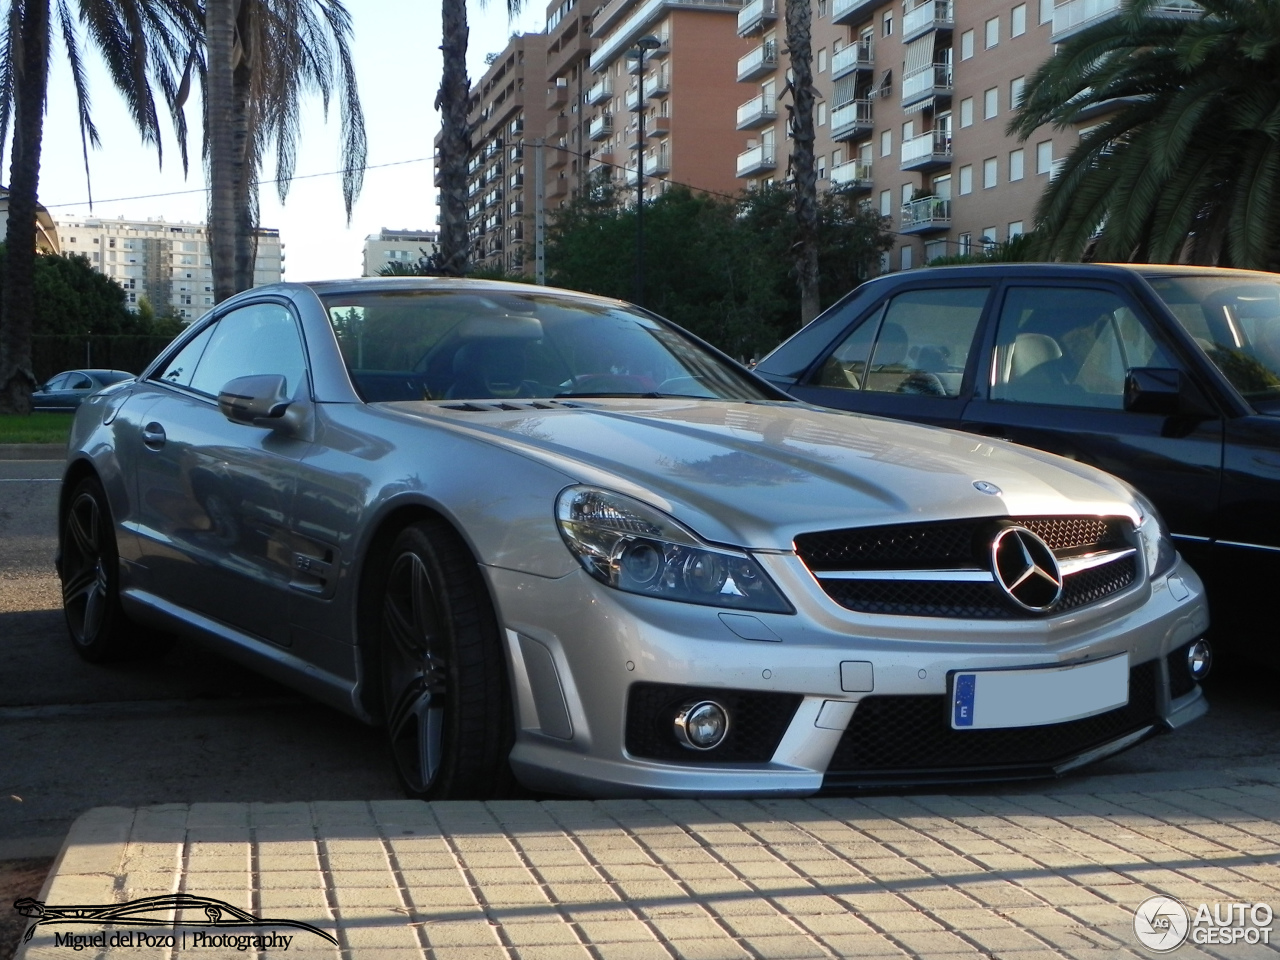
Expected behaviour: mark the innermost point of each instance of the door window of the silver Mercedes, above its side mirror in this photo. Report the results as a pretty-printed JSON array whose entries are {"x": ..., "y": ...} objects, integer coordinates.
[{"x": 257, "y": 340}]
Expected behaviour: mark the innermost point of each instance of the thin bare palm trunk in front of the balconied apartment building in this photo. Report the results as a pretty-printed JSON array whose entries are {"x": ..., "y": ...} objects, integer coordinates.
[{"x": 799, "y": 17}]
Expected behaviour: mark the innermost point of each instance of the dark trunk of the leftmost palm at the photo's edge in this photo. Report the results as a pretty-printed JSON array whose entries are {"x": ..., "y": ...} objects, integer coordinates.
[{"x": 19, "y": 305}]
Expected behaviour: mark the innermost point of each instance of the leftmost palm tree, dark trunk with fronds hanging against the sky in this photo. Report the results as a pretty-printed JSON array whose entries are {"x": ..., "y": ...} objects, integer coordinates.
[{"x": 136, "y": 39}]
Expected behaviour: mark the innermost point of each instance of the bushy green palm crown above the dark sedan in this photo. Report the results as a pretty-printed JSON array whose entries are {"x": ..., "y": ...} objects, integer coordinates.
[{"x": 1185, "y": 166}]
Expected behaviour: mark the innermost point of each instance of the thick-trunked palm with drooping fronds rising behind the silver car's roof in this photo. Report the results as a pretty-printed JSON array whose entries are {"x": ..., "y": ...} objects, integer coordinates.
[{"x": 263, "y": 57}]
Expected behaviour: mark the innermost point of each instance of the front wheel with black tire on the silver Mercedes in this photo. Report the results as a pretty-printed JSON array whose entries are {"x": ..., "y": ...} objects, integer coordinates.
[{"x": 447, "y": 708}]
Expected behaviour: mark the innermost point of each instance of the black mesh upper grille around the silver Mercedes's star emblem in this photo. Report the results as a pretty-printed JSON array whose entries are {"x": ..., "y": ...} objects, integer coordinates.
[{"x": 959, "y": 546}]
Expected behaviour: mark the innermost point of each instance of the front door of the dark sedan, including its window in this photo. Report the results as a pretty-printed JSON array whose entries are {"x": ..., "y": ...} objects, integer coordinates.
[{"x": 1055, "y": 368}]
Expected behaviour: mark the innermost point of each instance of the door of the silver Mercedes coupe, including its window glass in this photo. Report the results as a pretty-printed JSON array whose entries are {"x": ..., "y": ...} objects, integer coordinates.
[{"x": 214, "y": 496}]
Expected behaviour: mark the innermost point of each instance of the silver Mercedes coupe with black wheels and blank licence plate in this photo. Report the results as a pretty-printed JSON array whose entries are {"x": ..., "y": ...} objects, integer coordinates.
[{"x": 552, "y": 540}]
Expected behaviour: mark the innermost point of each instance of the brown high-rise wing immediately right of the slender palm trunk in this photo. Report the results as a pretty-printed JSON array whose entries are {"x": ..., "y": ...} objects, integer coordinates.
[{"x": 509, "y": 111}]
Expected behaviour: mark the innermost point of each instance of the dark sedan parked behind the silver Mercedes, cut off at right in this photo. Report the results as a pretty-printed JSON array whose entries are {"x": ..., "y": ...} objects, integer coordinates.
[{"x": 1168, "y": 377}]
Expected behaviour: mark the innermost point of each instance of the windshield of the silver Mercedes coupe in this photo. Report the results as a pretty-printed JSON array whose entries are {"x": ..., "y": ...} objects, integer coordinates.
[{"x": 487, "y": 346}]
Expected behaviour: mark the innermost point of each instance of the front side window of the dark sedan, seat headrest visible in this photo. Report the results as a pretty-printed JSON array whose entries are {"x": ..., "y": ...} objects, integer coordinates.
[{"x": 1069, "y": 348}]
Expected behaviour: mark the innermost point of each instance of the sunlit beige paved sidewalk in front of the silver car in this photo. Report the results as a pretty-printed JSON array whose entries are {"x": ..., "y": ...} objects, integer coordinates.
[{"x": 1013, "y": 877}]
